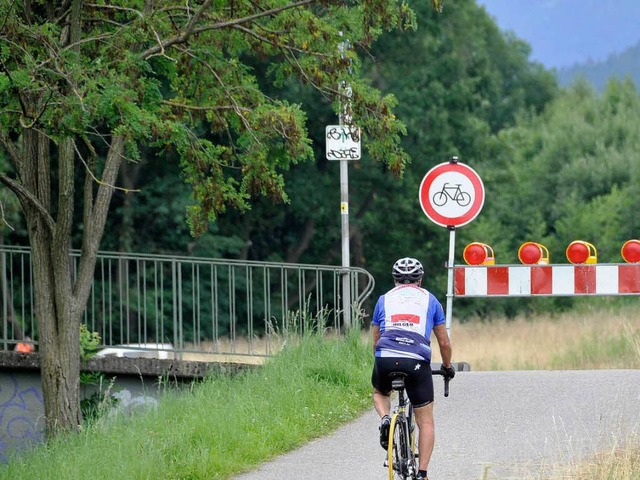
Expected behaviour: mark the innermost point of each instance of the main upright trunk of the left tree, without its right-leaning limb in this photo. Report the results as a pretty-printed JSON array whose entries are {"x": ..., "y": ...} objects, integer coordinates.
[{"x": 50, "y": 245}]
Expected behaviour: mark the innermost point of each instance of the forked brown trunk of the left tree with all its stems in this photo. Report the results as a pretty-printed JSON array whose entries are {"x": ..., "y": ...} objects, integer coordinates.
[{"x": 60, "y": 299}]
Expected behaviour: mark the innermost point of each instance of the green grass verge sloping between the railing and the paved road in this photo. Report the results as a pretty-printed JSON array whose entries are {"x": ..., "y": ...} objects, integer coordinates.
[{"x": 222, "y": 426}]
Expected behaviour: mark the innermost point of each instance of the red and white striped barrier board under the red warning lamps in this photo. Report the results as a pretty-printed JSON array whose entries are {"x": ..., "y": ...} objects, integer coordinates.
[{"x": 546, "y": 280}]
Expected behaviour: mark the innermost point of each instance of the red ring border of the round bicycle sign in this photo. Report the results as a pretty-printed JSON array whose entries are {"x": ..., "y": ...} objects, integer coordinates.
[{"x": 431, "y": 176}]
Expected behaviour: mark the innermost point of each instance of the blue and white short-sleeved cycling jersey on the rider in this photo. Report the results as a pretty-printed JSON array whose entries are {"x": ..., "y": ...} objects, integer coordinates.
[{"x": 406, "y": 316}]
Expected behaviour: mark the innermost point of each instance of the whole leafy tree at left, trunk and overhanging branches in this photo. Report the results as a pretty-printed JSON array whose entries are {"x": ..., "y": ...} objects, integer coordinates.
[{"x": 85, "y": 86}]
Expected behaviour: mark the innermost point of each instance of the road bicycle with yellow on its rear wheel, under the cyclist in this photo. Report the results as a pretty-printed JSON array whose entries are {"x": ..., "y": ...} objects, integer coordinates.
[{"x": 401, "y": 453}]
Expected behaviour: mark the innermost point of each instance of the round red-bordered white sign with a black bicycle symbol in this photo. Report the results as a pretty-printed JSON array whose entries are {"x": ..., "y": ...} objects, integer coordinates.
[{"x": 451, "y": 194}]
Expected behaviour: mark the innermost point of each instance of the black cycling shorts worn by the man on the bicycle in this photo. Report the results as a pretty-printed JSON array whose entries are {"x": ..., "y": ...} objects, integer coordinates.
[{"x": 418, "y": 383}]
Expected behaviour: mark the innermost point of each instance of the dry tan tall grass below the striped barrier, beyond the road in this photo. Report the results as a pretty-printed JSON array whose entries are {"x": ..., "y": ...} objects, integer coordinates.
[{"x": 579, "y": 340}]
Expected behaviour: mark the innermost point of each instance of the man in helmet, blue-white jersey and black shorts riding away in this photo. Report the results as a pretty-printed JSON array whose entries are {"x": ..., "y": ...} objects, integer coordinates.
[{"x": 403, "y": 320}]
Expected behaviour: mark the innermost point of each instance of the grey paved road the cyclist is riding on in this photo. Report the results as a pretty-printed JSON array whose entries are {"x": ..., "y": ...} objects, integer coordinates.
[{"x": 507, "y": 422}]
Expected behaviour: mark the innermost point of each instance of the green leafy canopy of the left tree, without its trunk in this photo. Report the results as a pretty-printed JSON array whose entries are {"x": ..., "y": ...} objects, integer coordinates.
[{"x": 182, "y": 81}]
